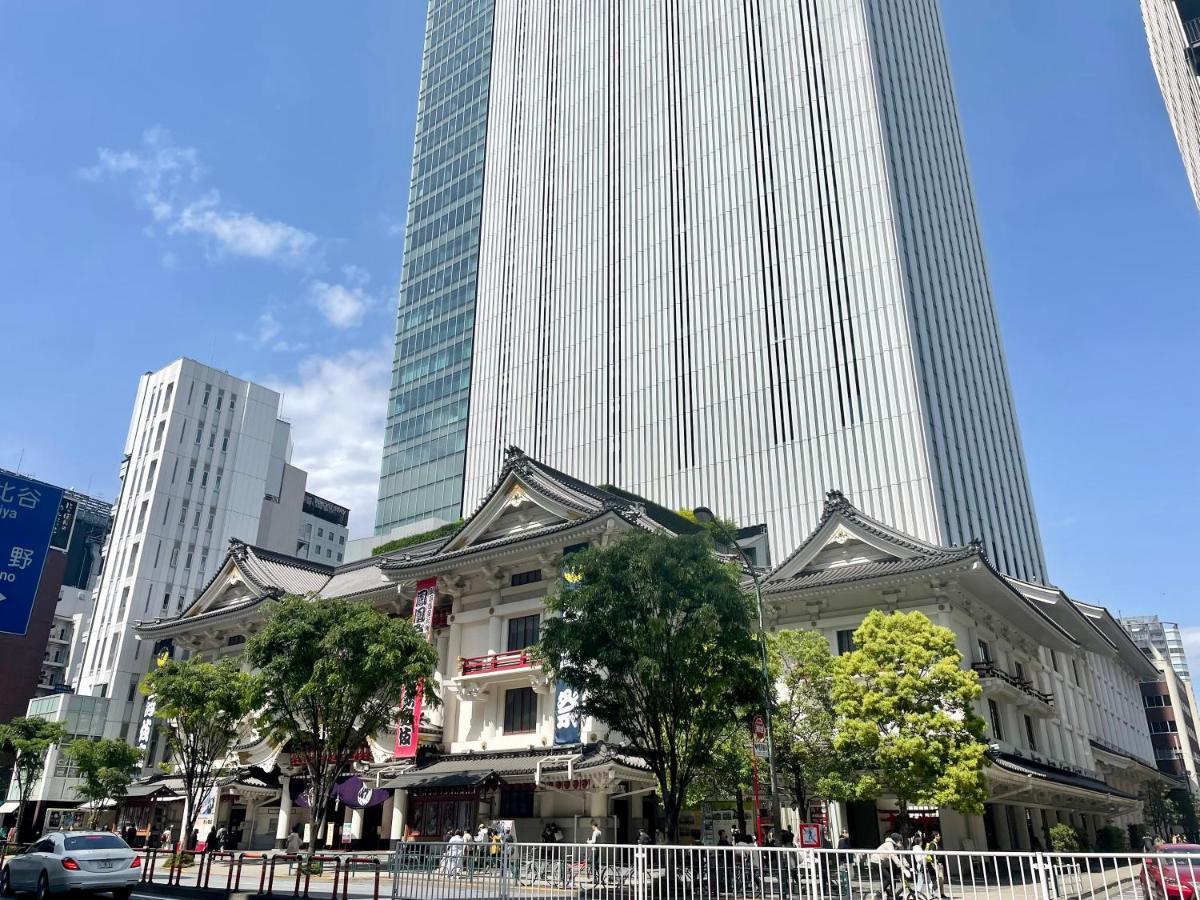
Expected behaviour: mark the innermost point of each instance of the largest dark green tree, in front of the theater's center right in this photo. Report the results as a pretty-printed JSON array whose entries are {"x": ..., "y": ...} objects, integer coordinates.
[{"x": 657, "y": 637}]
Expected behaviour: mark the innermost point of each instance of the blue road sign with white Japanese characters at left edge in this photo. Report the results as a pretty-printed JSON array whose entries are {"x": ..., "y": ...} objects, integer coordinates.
[{"x": 28, "y": 514}]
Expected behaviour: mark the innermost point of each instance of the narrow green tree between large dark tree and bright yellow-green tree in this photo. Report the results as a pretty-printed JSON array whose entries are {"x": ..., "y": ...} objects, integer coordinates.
[{"x": 806, "y": 724}]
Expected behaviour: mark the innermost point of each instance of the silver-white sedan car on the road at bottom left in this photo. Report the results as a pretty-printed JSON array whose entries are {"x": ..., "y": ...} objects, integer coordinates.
[{"x": 74, "y": 861}]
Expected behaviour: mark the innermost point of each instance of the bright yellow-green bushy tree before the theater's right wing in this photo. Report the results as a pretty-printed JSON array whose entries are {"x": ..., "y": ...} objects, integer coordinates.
[{"x": 907, "y": 707}]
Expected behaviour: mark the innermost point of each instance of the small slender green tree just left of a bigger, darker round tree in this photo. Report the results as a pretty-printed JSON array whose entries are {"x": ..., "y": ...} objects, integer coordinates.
[{"x": 202, "y": 706}]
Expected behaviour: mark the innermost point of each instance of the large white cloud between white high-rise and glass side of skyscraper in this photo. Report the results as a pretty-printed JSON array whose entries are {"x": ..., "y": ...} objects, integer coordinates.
[{"x": 337, "y": 406}]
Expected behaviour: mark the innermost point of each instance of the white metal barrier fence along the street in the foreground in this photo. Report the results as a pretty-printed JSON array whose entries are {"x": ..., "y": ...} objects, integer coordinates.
[{"x": 517, "y": 872}]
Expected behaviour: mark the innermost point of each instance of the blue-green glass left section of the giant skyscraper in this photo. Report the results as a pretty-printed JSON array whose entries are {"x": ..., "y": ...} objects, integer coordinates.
[{"x": 427, "y": 433}]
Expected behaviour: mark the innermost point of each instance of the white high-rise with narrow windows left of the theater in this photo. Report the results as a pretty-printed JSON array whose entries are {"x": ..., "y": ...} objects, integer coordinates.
[{"x": 206, "y": 460}]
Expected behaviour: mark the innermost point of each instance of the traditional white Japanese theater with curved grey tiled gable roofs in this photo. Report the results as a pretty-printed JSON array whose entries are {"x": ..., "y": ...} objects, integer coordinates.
[{"x": 1061, "y": 680}]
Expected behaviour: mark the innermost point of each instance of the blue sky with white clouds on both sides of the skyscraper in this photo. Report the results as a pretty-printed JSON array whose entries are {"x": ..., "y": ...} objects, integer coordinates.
[{"x": 229, "y": 182}]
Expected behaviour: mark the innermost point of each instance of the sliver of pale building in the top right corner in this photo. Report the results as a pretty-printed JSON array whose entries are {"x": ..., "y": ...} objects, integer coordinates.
[{"x": 1173, "y": 29}]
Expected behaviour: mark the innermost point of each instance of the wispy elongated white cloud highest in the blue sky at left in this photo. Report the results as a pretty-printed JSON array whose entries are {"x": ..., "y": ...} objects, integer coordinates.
[{"x": 169, "y": 182}]
